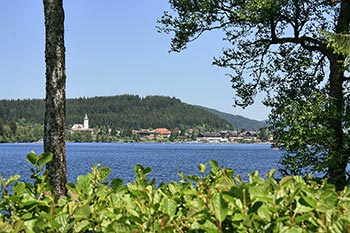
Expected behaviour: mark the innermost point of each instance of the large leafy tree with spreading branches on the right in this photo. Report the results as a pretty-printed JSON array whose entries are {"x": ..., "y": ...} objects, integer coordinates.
[{"x": 282, "y": 47}]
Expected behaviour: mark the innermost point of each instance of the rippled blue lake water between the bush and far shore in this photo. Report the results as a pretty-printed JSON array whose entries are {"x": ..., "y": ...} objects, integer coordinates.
[{"x": 164, "y": 159}]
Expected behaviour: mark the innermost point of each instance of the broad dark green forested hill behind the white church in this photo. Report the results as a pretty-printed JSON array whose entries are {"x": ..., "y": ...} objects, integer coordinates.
[{"x": 123, "y": 112}]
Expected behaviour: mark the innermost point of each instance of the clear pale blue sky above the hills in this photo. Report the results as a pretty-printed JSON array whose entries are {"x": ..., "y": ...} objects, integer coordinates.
[{"x": 113, "y": 48}]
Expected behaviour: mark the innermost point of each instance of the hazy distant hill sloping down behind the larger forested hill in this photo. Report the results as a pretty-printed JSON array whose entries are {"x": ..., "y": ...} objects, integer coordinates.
[{"x": 237, "y": 121}]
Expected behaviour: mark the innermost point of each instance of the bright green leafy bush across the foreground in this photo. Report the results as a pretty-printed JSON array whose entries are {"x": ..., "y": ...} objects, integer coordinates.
[{"x": 215, "y": 201}]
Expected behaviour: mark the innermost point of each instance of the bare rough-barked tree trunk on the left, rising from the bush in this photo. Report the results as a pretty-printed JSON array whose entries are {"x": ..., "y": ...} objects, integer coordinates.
[{"x": 55, "y": 114}]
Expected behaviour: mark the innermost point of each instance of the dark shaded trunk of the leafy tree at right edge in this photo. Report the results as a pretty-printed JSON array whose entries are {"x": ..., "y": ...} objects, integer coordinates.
[{"x": 338, "y": 154}]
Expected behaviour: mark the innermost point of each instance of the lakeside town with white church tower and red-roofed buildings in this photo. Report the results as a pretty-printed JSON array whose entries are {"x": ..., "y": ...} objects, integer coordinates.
[{"x": 82, "y": 132}]
